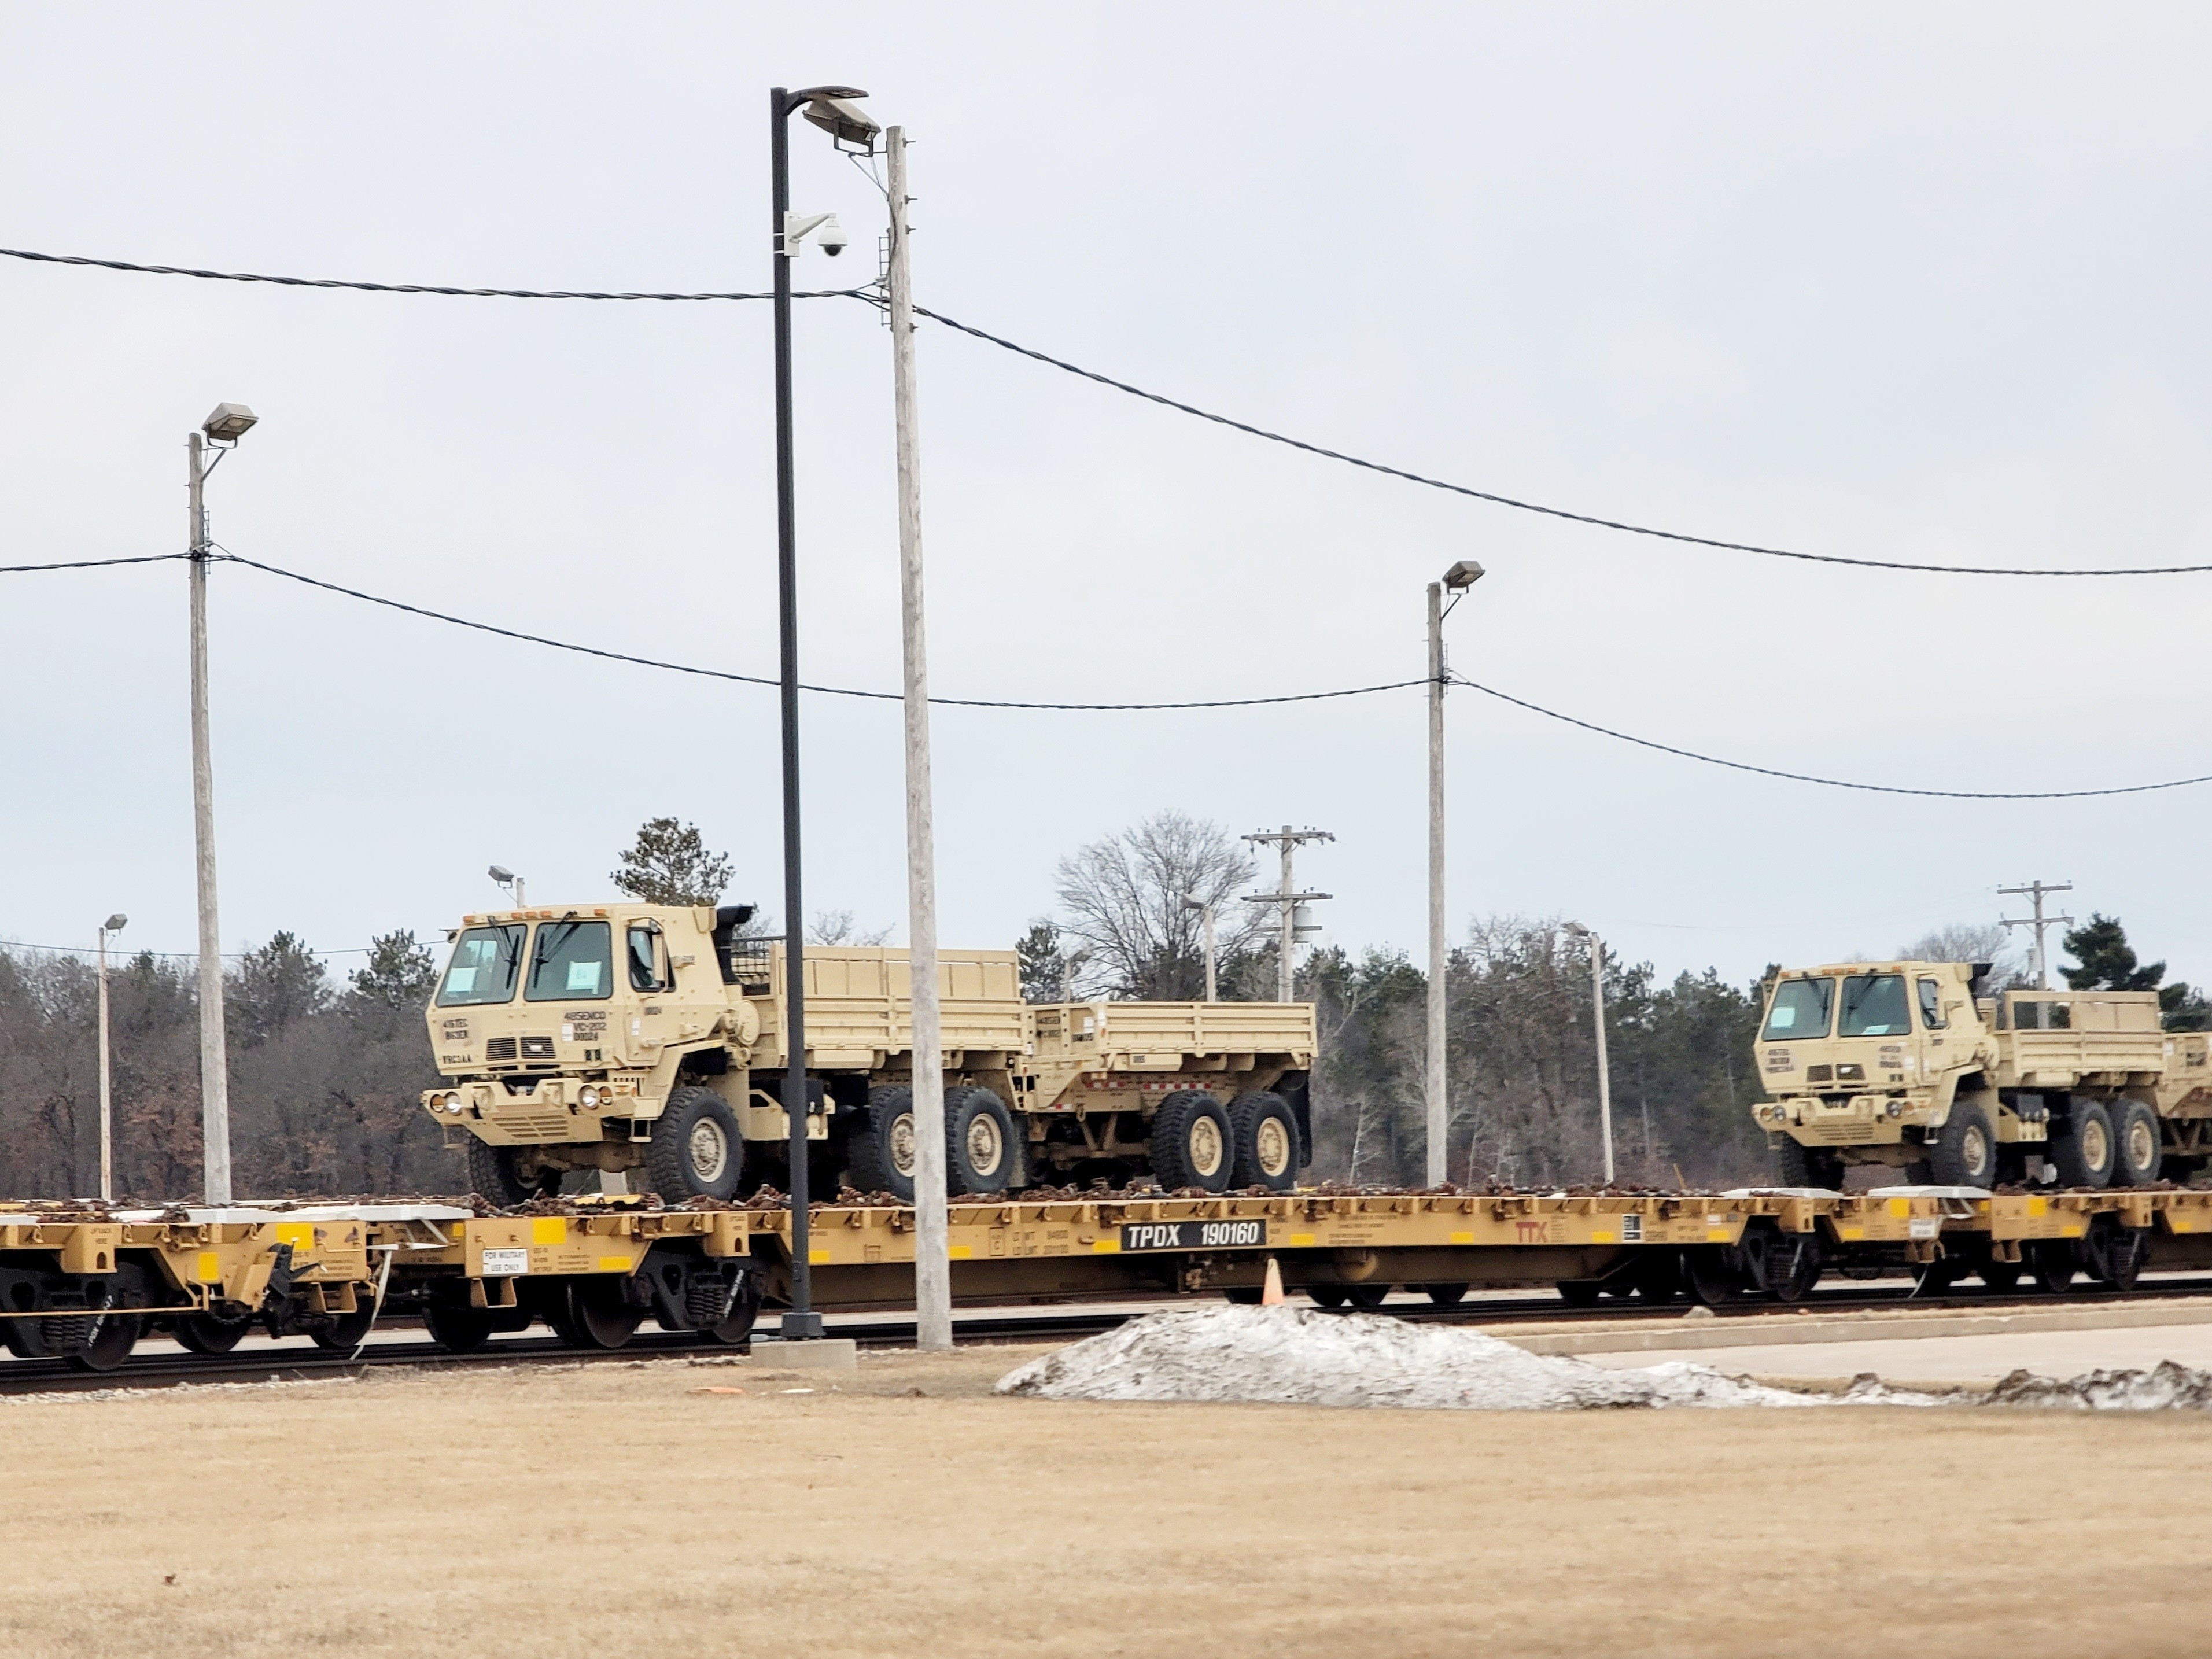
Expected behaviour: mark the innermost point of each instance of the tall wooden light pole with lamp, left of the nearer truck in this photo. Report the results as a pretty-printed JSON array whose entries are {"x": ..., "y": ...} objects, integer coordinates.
[{"x": 222, "y": 430}]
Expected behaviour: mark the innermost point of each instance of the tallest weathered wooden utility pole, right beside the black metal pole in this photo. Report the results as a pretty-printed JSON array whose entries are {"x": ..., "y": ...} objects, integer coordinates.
[{"x": 932, "y": 1264}]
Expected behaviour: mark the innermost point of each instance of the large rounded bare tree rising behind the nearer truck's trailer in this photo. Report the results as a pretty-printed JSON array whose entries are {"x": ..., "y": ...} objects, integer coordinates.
[{"x": 1125, "y": 901}]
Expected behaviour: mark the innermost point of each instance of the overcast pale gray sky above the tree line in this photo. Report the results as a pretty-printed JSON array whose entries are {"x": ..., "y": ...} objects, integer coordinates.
[{"x": 1914, "y": 282}]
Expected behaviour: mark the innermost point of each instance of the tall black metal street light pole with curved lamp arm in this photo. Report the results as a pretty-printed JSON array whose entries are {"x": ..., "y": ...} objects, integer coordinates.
[{"x": 826, "y": 107}]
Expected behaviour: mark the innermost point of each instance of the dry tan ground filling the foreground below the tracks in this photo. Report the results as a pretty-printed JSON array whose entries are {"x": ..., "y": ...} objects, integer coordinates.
[{"x": 906, "y": 1512}]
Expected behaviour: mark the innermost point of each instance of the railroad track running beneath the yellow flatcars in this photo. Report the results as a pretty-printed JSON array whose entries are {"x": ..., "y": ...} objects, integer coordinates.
[{"x": 1023, "y": 1326}]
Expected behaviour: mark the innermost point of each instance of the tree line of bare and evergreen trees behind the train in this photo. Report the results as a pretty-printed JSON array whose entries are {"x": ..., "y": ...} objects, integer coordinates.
[{"x": 326, "y": 1072}]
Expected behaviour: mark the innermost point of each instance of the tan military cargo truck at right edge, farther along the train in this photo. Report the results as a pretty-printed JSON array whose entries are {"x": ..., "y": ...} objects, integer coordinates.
[{"x": 1903, "y": 1065}]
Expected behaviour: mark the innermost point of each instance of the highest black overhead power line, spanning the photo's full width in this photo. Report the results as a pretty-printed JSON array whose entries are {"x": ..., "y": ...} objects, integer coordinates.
[{"x": 1246, "y": 428}]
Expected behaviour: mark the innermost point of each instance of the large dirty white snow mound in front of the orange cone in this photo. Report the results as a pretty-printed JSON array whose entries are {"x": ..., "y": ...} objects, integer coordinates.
[{"x": 1308, "y": 1357}]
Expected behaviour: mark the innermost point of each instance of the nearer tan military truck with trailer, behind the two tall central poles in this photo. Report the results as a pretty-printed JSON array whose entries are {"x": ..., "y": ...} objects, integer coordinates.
[{"x": 649, "y": 1039}]
